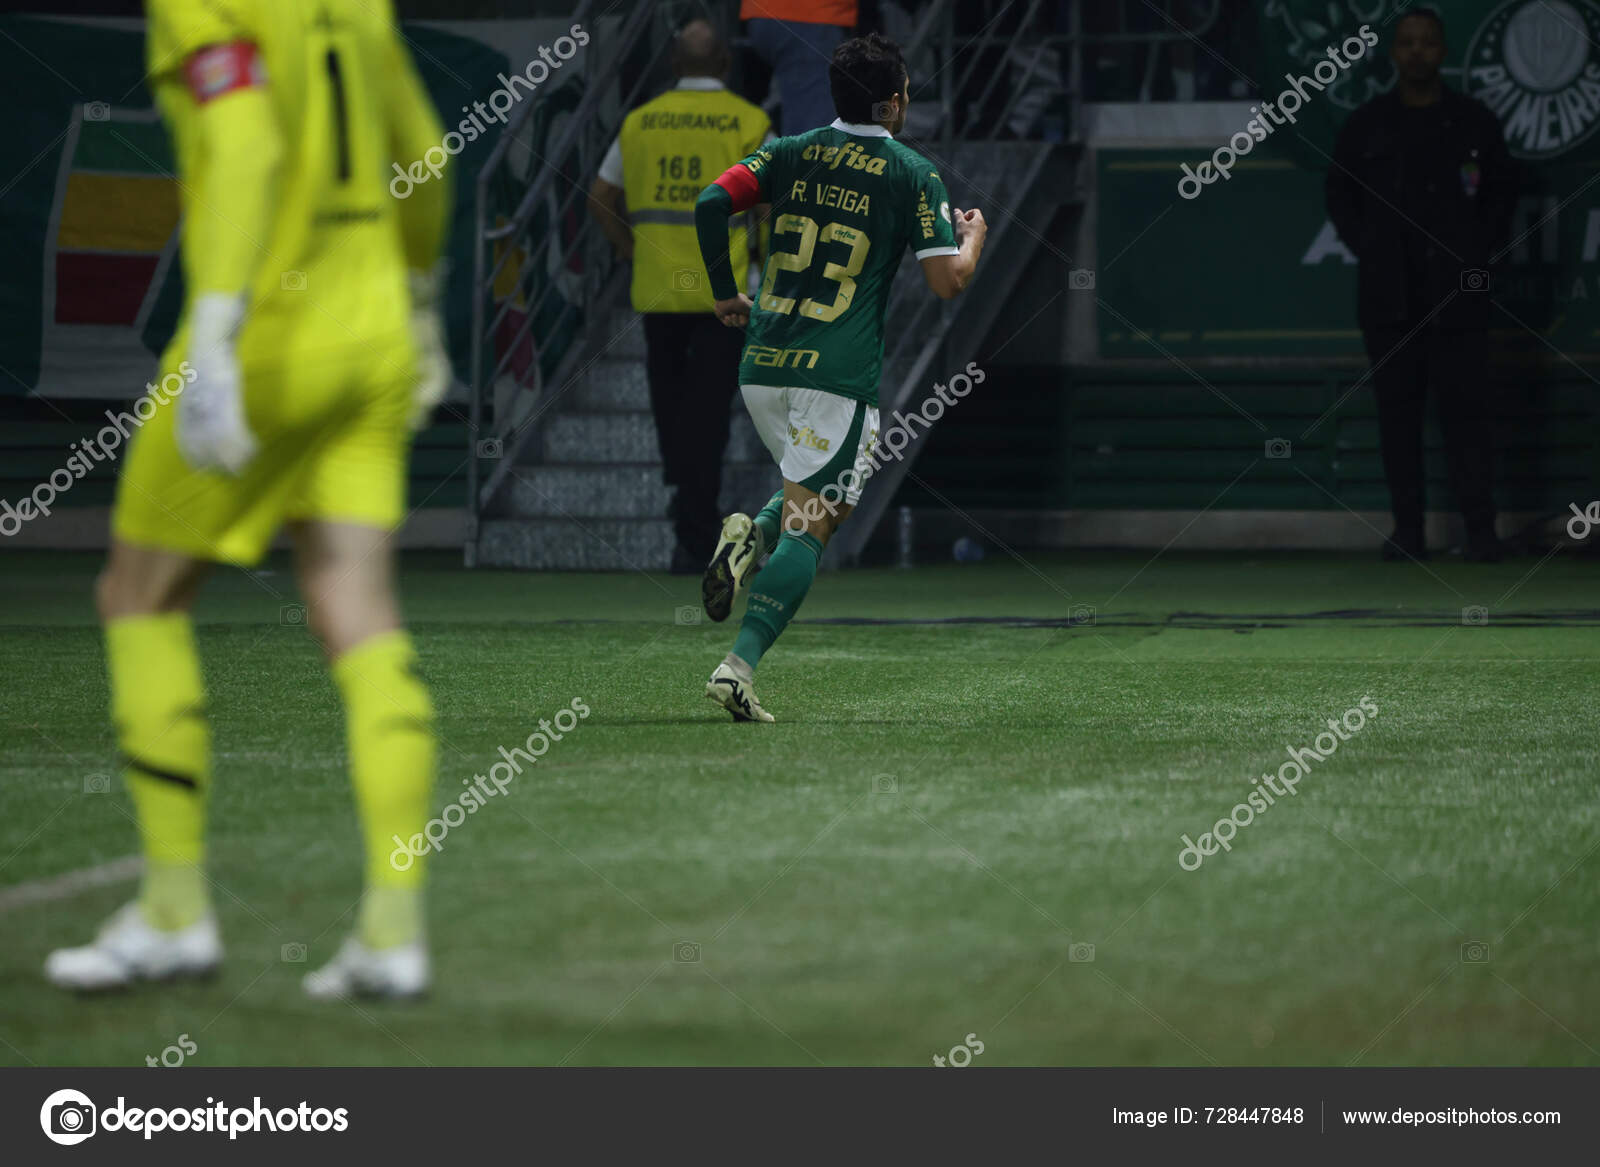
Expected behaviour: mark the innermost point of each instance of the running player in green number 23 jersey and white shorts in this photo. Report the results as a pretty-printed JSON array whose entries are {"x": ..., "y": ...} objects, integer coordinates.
[{"x": 847, "y": 201}]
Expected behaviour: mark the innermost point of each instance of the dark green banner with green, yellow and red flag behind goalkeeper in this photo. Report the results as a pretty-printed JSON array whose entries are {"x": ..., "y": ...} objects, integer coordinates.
[{"x": 89, "y": 212}]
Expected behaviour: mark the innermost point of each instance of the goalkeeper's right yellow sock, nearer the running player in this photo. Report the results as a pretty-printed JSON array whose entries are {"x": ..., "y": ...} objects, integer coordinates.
[{"x": 390, "y": 724}]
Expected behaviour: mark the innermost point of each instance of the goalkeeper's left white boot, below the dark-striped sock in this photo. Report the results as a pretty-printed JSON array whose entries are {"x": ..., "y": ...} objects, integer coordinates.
[{"x": 129, "y": 950}]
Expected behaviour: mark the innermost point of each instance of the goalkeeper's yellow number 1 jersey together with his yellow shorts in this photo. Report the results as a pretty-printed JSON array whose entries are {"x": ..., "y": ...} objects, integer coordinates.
[{"x": 287, "y": 121}]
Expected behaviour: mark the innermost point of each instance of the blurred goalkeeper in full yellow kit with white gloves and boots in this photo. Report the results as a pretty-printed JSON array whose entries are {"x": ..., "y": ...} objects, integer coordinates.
[{"x": 314, "y": 348}]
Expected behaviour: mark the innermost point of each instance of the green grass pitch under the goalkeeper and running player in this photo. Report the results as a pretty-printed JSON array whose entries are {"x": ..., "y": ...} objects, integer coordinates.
[{"x": 945, "y": 817}]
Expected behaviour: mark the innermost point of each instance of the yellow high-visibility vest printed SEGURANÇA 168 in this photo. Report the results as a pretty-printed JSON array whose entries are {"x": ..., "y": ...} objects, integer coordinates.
[{"x": 674, "y": 148}]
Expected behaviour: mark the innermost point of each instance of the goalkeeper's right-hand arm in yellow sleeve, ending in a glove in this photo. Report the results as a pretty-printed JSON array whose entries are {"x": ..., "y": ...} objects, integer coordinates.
[{"x": 425, "y": 228}]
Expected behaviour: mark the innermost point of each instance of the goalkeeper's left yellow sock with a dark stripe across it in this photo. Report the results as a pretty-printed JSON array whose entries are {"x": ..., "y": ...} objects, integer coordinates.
[{"x": 158, "y": 705}]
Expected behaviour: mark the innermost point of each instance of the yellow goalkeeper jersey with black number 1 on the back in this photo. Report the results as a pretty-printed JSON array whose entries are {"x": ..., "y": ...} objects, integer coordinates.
[{"x": 326, "y": 265}]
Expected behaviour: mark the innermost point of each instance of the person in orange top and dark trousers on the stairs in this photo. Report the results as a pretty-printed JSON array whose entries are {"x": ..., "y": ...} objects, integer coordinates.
[{"x": 798, "y": 41}]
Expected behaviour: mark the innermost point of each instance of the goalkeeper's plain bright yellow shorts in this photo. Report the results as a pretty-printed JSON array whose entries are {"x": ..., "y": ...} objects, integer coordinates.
[{"x": 334, "y": 441}]
